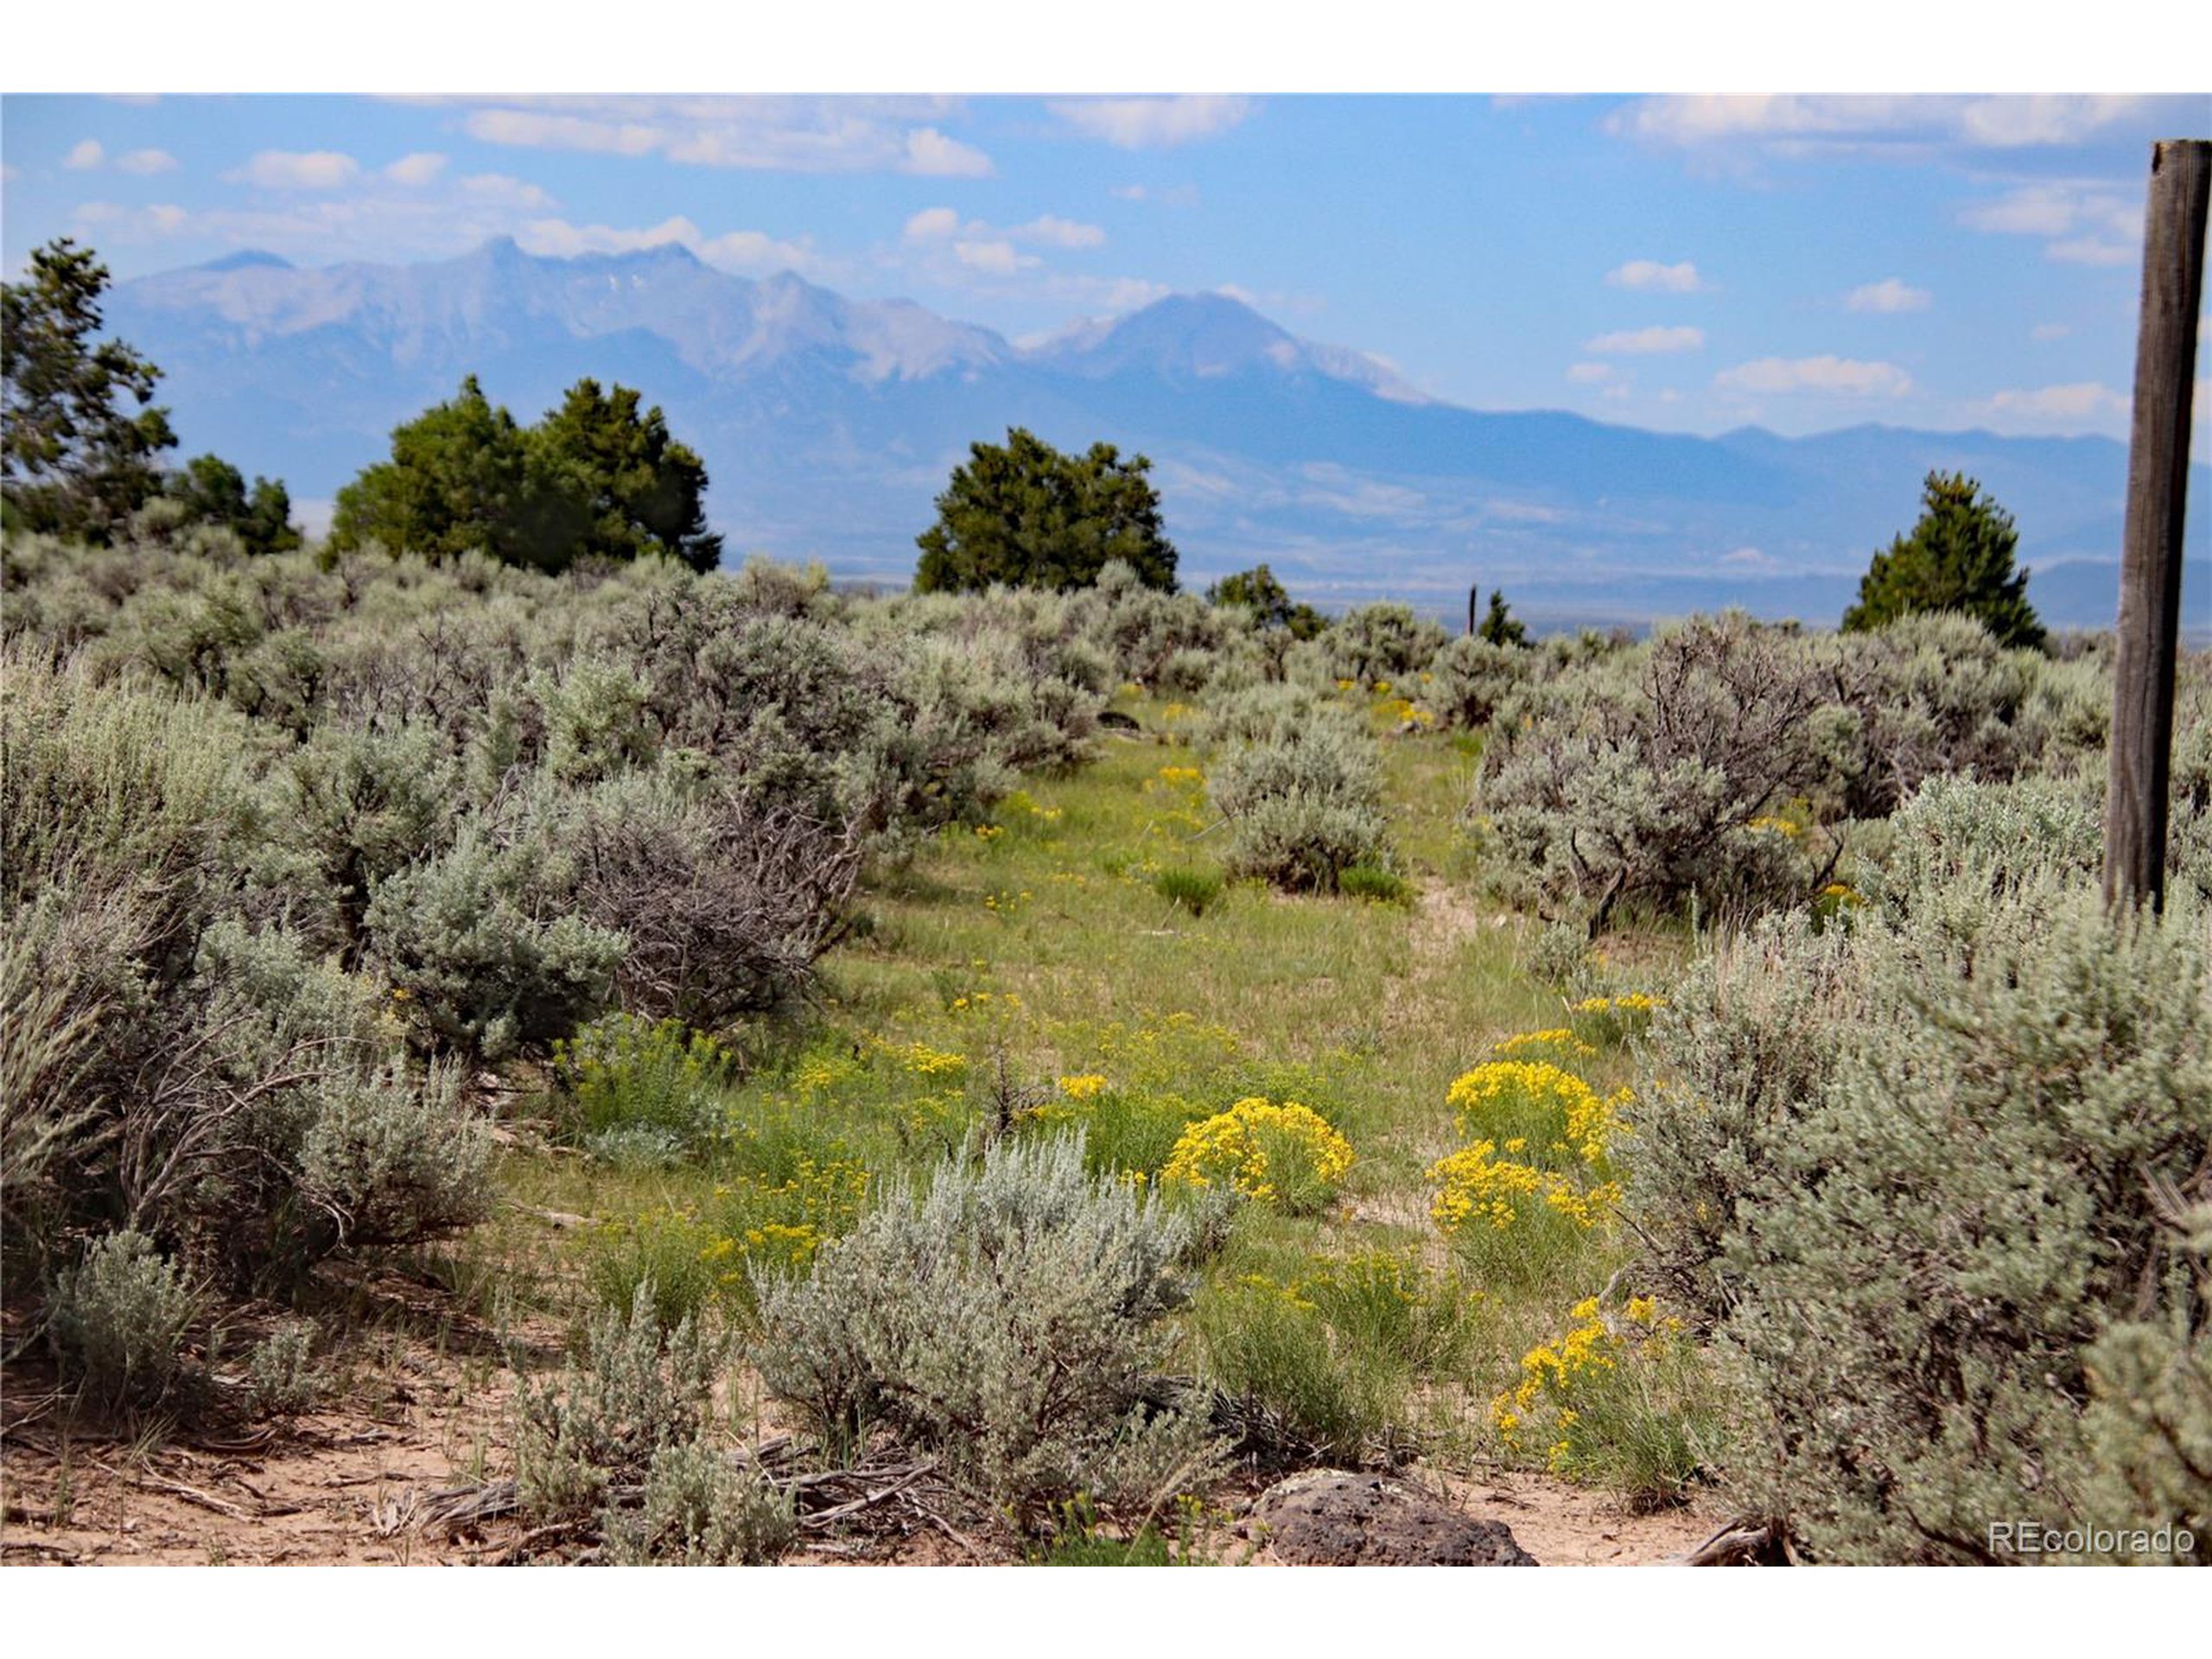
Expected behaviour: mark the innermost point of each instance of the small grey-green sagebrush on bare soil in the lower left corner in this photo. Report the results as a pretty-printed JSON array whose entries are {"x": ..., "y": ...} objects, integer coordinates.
[{"x": 118, "y": 1324}]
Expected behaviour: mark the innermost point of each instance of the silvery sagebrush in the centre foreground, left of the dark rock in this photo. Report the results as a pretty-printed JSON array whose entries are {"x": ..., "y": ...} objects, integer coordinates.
[{"x": 1008, "y": 1319}]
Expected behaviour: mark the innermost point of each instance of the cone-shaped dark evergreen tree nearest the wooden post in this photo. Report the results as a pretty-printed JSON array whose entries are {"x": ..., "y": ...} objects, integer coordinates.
[{"x": 1959, "y": 559}]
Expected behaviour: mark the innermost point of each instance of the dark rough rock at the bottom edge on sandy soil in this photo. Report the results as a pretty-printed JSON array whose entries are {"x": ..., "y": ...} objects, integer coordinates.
[{"x": 1335, "y": 1519}]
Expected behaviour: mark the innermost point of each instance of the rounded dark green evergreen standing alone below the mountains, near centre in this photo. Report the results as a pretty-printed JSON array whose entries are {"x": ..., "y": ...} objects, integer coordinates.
[{"x": 1030, "y": 517}]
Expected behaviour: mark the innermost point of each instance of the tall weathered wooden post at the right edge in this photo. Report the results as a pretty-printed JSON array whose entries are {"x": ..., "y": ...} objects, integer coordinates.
[{"x": 2151, "y": 547}]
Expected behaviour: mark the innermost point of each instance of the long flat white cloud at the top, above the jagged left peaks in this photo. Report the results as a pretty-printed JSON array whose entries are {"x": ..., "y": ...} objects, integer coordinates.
[{"x": 771, "y": 134}]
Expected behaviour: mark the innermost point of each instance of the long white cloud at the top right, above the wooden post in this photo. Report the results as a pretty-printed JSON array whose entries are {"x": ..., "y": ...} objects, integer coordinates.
[{"x": 1806, "y": 123}]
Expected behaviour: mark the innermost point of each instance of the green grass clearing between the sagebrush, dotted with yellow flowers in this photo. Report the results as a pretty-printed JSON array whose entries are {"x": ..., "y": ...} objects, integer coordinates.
[{"x": 1081, "y": 961}]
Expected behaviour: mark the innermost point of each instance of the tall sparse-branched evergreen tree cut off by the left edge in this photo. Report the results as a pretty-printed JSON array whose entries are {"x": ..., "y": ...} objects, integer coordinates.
[{"x": 81, "y": 444}]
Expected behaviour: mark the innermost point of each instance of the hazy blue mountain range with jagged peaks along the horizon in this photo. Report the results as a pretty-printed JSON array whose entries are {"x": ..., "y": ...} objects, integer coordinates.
[{"x": 828, "y": 426}]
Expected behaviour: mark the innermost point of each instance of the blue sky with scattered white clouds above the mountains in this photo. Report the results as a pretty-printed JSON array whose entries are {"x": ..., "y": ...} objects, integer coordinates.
[{"x": 1665, "y": 262}]
